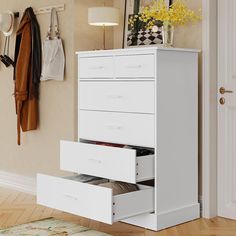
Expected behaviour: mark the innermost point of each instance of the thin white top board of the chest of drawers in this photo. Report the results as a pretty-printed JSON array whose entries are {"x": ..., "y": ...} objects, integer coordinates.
[{"x": 147, "y": 49}]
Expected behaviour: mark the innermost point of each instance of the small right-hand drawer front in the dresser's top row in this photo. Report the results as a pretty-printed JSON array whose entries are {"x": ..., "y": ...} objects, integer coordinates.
[{"x": 136, "y": 66}]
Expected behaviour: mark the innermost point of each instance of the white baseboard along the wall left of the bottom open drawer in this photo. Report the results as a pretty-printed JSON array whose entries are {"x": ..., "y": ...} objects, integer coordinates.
[{"x": 18, "y": 182}]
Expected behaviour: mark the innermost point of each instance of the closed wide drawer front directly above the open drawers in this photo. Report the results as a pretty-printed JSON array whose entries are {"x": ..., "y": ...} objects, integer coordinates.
[{"x": 122, "y": 128}]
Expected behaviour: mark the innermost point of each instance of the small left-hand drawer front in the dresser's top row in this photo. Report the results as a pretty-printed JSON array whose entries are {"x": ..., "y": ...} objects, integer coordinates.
[{"x": 96, "y": 67}]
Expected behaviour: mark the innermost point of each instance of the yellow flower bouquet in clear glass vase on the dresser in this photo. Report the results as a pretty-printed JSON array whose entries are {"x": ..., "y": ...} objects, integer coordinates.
[{"x": 177, "y": 14}]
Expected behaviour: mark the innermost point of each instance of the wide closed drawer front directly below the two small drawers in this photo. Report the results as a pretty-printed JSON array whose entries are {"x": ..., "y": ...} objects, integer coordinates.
[{"x": 118, "y": 96}]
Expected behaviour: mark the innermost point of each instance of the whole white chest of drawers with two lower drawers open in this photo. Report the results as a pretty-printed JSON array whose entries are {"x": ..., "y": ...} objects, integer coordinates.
[{"x": 140, "y": 97}]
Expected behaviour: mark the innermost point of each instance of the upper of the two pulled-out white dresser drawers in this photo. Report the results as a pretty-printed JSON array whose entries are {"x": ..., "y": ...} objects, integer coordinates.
[{"x": 107, "y": 162}]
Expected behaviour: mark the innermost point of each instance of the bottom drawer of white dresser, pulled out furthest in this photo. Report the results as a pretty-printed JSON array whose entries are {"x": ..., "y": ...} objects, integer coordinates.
[{"x": 92, "y": 201}]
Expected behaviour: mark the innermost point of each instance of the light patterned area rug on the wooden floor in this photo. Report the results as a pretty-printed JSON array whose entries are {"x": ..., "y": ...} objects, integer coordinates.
[{"x": 50, "y": 227}]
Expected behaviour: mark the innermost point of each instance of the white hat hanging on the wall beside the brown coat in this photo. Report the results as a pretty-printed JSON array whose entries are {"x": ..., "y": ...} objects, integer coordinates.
[{"x": 7, "y": 23}]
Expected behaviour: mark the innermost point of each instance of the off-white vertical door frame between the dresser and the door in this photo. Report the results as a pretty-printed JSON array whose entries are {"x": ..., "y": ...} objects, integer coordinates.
[{"x": 208, "y": 101}]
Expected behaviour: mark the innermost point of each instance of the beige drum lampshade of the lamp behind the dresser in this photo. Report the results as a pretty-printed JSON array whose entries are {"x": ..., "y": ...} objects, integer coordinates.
[{"x": 103, "y": 16}]
